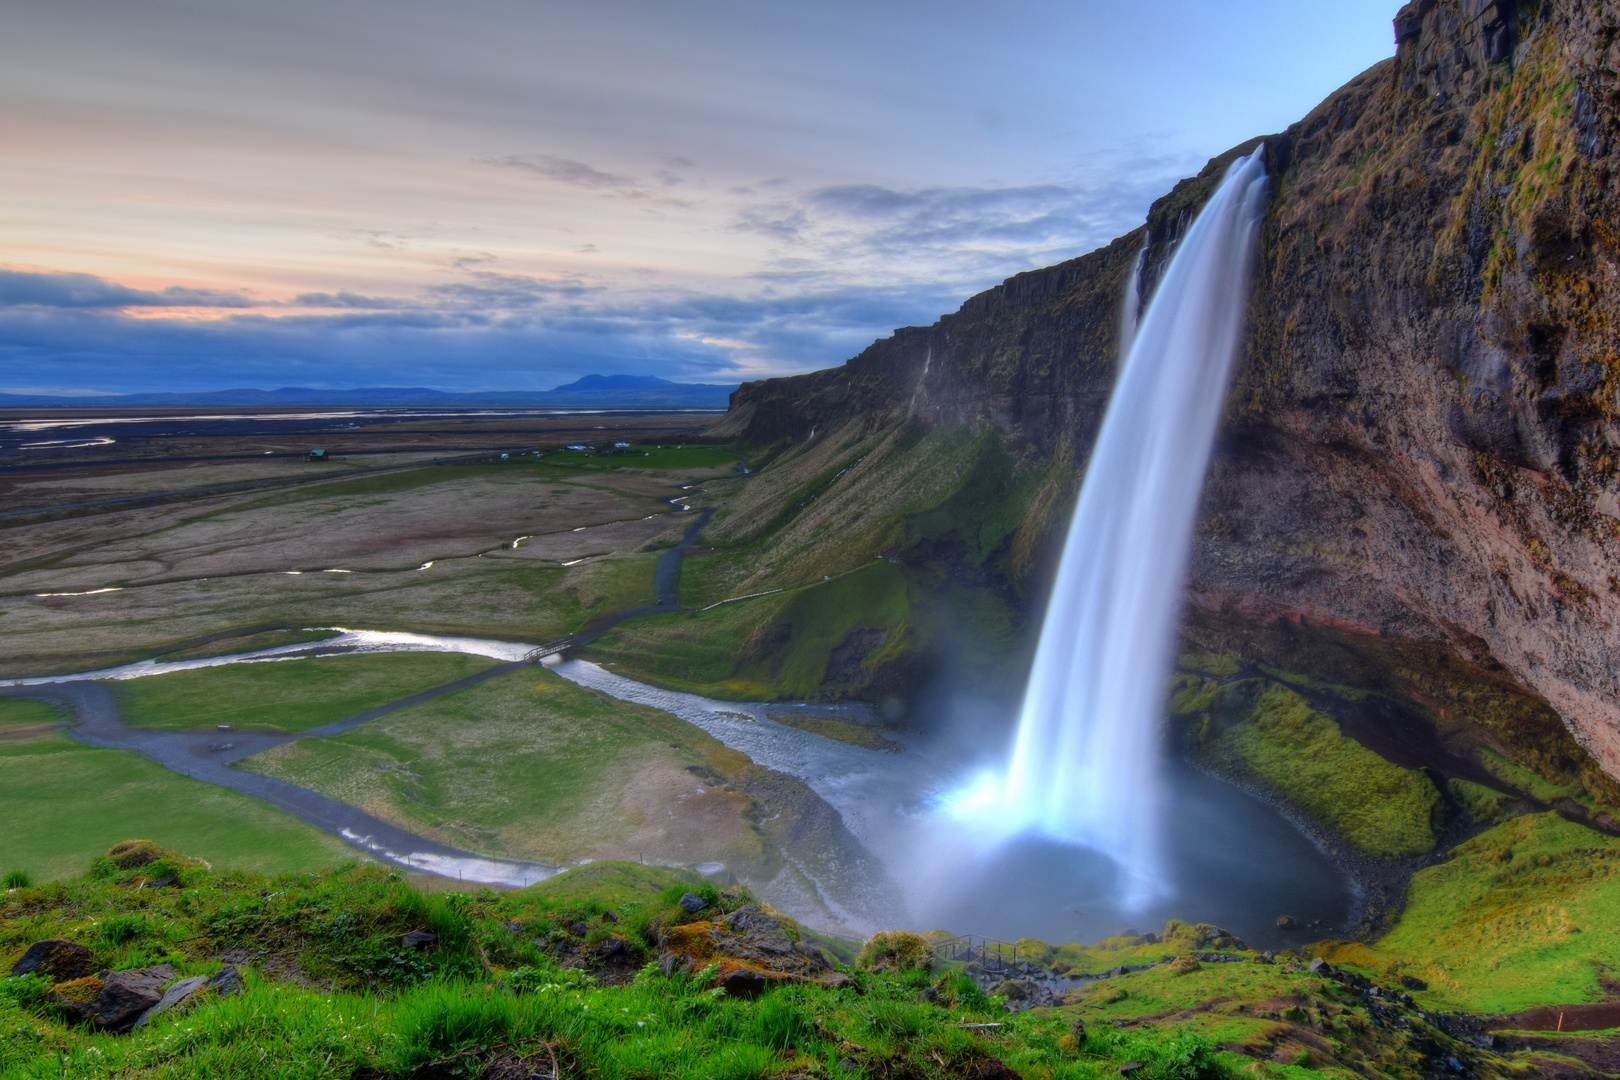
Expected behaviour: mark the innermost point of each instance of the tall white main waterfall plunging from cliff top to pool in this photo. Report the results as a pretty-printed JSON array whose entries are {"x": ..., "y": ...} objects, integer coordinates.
[{"x": 1086, "y": 760}]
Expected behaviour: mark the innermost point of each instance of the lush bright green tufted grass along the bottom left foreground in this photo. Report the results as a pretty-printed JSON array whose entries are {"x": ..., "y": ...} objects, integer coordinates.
[{"x": 493, "y": 1001}]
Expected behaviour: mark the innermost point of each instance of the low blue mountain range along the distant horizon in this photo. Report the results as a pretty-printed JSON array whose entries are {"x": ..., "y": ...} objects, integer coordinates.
[{"x": 599, "y": 391}]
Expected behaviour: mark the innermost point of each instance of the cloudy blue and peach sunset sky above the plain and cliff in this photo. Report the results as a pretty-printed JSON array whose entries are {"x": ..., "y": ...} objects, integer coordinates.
[{"x": 508, "y": 195}]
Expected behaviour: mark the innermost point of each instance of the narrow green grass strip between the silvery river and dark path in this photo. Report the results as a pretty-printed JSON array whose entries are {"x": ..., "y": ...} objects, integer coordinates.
[{"x": 288, "y": 695}]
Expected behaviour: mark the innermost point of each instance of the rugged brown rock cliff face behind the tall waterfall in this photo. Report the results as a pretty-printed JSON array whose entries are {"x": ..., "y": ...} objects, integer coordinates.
[{"x": 1423, "y": 446}]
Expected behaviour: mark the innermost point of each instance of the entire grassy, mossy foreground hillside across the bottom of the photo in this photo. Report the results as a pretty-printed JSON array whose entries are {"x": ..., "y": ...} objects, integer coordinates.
[{"x": 566, "y": 980}]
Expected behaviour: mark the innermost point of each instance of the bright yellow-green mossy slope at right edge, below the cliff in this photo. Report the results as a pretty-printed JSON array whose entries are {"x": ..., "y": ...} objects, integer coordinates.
[{"x": 1524, "y": 916}]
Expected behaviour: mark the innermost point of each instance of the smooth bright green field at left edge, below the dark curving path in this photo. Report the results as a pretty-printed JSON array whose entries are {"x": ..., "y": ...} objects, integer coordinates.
[{"x": 64, "y": 804}]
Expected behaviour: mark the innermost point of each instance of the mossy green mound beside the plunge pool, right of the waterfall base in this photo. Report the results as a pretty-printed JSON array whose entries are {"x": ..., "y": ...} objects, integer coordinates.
[{"x": 1269, "y": 734}]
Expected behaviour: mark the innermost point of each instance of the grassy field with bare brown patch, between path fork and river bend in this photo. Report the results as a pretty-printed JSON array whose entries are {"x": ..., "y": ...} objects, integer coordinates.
[{"x": 531, "y": 765}]
